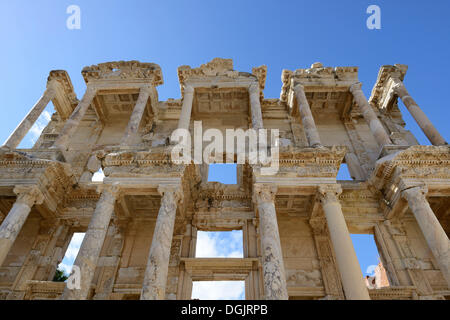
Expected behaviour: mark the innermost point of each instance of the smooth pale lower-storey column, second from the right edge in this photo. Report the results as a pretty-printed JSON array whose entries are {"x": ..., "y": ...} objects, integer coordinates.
[{"x": 349, "y": 269}]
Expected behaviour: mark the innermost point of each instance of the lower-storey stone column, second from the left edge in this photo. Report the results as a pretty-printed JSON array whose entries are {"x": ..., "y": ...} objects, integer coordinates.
[{"x": 91, "y": 246}]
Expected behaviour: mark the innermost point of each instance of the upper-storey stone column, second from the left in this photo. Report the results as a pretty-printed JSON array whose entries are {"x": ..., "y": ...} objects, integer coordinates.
[{"x": 75, "y": 118}]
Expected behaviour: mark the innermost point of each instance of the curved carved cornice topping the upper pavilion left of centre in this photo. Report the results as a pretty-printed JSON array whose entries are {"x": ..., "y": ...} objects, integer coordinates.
[{"x": 124, "y": 70}]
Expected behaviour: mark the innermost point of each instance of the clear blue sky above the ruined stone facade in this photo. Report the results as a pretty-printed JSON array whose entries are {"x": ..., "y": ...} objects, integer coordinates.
[{"x": 280, "y": 34}]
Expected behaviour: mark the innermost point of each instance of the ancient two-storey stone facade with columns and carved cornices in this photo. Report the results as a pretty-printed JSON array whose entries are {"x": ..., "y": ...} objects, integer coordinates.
[{"x": 141, "y": 222}]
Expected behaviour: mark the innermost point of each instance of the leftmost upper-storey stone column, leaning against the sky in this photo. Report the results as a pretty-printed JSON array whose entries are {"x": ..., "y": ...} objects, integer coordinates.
[{"x": 22, "y": 129}]
